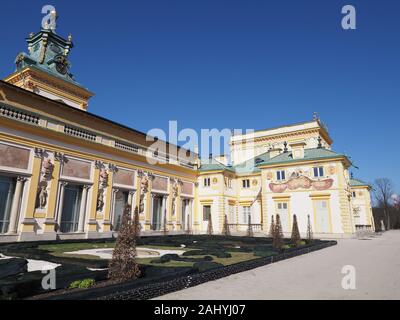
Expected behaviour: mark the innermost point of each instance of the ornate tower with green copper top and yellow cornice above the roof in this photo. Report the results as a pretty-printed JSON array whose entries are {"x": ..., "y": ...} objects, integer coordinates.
[{"x": 45, "y": 69}]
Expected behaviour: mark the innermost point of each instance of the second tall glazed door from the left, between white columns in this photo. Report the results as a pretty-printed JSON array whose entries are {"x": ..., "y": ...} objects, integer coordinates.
[{"x": 71, "y": 208}]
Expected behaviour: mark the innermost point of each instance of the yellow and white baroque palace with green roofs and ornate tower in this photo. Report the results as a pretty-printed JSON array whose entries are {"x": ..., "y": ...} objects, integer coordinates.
[{"x": 66, "y": 173}]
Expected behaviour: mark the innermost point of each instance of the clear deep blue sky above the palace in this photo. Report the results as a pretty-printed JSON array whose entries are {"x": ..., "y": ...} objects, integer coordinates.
[{"x": 234, "y": 64}]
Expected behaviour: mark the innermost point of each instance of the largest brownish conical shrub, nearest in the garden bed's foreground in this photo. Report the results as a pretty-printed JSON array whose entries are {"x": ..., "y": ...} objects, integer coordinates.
[{"x": 123, "y": 266}]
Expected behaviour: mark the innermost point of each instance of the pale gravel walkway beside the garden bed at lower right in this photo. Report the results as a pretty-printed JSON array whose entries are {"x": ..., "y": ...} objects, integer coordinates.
[{"x": 315, "y": 276}]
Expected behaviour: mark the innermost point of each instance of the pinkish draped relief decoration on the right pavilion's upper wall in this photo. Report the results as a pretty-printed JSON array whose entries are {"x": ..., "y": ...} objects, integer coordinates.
[{"x": 301, "y": 182}]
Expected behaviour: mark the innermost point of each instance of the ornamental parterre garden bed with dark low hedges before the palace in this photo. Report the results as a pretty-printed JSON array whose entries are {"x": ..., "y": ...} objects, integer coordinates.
[{"x": 202, "y": 258}]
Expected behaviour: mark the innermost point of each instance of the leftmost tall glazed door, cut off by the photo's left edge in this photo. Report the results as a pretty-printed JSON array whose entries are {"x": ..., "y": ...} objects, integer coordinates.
[{"x": 7, "y": 188}]
